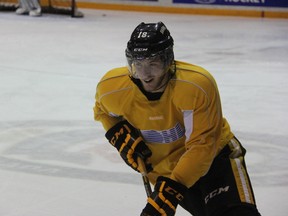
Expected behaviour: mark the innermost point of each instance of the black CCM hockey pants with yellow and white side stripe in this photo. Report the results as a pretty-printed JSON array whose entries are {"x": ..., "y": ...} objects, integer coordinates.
[{"x": 226, "y": 189}]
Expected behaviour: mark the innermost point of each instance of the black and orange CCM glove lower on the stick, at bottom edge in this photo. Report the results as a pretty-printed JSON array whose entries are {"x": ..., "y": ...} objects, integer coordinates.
[{"x": 165, "y": 198}]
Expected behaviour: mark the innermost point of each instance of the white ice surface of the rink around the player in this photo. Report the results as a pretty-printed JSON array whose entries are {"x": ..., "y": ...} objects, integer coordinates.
[{"x": 54, "y": 159}]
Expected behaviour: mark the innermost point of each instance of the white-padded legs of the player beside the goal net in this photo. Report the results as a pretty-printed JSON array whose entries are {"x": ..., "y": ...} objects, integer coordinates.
[{"x": 31, "y": 7}]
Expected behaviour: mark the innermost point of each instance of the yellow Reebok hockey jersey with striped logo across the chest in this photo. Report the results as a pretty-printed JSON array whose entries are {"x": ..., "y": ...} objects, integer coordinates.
[{"x": 184, "y": 129}]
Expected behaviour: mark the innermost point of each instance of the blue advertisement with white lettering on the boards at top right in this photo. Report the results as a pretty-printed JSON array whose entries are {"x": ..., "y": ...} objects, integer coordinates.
[{"x": 258, "y": 3}]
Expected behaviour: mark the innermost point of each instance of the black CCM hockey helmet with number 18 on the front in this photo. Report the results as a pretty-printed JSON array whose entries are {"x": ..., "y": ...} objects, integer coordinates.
[{"x": 150, "y": 40}]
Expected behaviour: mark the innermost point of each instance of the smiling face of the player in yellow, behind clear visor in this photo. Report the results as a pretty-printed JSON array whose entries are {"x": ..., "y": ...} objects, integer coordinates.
[{"x": 151, "y": 73}]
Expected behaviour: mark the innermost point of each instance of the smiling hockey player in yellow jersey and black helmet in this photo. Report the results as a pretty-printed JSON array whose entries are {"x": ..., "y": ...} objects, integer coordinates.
[{"x": 168, "y": 113}]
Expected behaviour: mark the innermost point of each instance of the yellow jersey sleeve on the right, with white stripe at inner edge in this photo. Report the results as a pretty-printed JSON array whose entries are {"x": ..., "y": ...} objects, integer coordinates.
[{"x": 203, "y": 125}]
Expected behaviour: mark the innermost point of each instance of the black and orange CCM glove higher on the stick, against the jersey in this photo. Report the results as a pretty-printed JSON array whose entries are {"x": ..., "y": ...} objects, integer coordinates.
[{"x": 130, "y": 144}]
